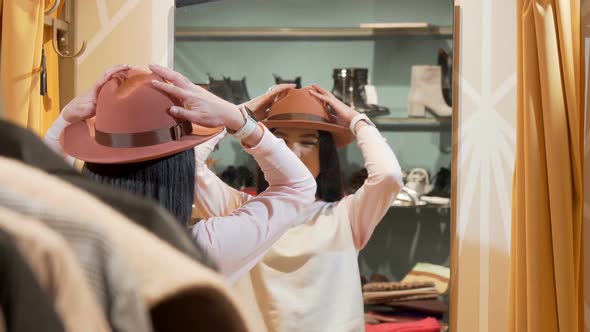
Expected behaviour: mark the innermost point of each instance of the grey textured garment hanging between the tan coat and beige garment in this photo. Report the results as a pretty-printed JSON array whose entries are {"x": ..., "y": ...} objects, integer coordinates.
[{"x": 115, "y": 286}]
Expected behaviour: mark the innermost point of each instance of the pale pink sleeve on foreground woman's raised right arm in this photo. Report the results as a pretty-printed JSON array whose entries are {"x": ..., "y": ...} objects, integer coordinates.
[{"x": 238, "y": 241}]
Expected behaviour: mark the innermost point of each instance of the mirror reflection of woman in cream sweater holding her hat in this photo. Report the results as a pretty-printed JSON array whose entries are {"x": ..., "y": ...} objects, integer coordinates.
[{"x": 309, "y": 280}]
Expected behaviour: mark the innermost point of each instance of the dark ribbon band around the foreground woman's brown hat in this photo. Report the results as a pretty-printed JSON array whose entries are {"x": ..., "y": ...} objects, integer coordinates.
[{"x": 146, "y": 138}]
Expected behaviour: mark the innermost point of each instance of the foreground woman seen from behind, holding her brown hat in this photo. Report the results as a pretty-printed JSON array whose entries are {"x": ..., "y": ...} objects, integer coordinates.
[{"x": 143, "y": 142}]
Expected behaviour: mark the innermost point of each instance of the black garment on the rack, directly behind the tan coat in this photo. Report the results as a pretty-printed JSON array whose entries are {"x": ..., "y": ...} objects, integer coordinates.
[{"x": 21, "y": 144}]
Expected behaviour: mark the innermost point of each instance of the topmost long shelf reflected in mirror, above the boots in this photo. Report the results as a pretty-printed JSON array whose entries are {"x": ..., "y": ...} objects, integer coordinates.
[{"x": 364, "y": 31}]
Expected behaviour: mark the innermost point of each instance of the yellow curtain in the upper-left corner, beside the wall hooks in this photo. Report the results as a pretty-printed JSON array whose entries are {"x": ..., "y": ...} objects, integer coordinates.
[{"x": 23, "y": 35}]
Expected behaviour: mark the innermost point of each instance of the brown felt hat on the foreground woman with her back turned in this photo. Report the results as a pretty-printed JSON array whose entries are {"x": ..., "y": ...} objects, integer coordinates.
[{"x": 132, "y": 124}]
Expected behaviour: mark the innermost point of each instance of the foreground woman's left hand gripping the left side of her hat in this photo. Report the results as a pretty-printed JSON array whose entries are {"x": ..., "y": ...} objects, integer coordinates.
[{"x": 84, "y": 106}]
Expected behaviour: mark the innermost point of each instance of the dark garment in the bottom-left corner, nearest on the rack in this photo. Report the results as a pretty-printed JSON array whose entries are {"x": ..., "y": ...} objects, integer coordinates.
[{"x": 26, "y": 307}]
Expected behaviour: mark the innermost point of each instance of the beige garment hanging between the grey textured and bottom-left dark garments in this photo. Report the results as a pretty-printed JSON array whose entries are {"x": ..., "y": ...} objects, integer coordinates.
[{"x": 57, "y": 271}]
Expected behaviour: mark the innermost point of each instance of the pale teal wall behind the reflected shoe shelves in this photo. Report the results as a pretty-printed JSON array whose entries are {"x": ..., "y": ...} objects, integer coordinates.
[{"x": 389, "y": 59}]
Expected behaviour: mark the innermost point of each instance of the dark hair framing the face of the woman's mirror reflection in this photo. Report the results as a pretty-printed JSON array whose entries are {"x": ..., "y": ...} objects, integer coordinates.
[{"x": 329, "y": 180}]
